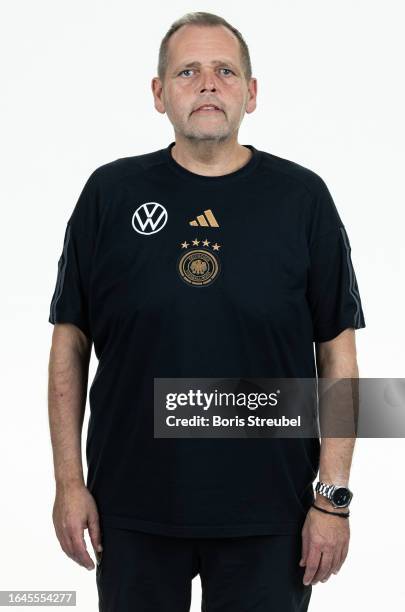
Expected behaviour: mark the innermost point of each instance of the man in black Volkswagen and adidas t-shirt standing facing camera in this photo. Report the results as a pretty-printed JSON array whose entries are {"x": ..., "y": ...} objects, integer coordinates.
[{"x": 206, "y": 258}]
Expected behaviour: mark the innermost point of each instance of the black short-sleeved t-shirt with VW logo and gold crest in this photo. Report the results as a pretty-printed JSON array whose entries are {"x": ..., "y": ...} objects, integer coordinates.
[{"x": 273, "y": 276}]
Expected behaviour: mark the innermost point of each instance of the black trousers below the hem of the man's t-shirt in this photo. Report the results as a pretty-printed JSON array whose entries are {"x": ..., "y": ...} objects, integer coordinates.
[{"x": 141, "y": 572}]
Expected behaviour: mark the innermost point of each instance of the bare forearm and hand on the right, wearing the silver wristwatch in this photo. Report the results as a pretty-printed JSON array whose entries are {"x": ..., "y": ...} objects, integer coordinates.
[{"x": 325, "y": 537}]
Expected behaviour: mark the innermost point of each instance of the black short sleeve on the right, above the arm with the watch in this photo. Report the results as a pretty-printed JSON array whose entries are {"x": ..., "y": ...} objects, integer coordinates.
[{"x": 332, "y": 289}]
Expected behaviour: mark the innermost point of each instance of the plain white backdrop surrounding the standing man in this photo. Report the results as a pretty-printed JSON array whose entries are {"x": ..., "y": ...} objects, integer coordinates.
[{"x": 76, "y": 94}]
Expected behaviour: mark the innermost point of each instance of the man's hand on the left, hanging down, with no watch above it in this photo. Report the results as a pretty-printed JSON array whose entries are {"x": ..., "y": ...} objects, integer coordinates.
[{"x": 74, "y": 511}]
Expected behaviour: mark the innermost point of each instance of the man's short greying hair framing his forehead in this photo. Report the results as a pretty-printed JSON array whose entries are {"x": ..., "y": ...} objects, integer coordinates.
[{"x": 202, "y": 19}]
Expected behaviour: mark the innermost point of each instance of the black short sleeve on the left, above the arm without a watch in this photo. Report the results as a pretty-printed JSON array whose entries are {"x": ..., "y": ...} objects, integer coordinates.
[{"x": 71, "y": 296}]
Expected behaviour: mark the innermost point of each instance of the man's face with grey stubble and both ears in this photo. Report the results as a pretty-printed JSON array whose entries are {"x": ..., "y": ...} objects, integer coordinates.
[{"x": 204, "y": 67}]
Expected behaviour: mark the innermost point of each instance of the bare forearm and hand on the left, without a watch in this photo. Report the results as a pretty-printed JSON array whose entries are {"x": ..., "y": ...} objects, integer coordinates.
[{"x": 74, "y": 508}]
